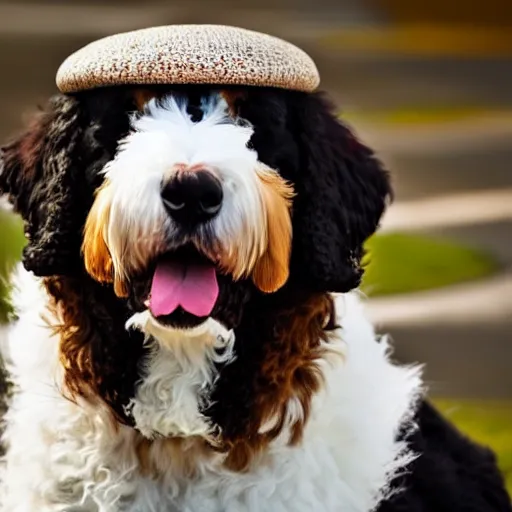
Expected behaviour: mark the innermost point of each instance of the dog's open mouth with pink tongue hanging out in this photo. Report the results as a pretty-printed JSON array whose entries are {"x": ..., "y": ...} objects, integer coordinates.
[{"x": 184, "y": 288}]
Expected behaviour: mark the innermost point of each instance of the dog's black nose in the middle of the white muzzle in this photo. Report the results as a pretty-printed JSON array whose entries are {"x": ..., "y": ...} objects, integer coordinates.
[{"x": 192, "y": 197}]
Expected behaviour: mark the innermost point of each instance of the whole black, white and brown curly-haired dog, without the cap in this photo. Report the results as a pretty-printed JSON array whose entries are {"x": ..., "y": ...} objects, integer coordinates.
[{"x": 189, "y": 334}]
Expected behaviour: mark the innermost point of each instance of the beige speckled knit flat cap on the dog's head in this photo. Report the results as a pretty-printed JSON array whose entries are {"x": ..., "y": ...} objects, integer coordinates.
[{"x": 189, "y": 54}]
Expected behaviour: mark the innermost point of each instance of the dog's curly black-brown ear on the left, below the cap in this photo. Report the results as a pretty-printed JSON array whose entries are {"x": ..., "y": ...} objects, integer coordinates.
[{"x": 49, "y": 174}]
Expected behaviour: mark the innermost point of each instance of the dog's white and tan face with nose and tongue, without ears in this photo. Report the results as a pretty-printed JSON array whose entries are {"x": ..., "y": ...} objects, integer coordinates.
[{"x": 186, "y": 206}]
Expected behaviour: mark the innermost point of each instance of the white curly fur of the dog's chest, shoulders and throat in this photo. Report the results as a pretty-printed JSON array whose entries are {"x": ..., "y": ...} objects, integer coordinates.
[{"x": 69, "y": 457}]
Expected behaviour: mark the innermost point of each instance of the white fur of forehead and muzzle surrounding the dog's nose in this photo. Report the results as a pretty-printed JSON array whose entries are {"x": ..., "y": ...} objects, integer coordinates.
[{"x": 162, "y": 138}]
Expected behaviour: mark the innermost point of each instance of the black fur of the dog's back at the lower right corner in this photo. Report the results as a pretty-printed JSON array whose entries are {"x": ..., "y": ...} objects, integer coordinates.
[{"x": 451, "y": 474}]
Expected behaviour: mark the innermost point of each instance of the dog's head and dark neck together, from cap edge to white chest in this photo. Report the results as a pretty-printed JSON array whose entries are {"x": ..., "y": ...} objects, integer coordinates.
[{"x": 171, "y": 209}]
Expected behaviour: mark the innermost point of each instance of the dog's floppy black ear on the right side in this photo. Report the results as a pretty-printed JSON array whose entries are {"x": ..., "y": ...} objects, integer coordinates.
[{"x": 342, "y": 191}]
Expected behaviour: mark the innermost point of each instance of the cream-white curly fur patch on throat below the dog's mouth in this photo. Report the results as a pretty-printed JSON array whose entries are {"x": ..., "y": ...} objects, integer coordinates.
[{"x": 178, "y": 372}]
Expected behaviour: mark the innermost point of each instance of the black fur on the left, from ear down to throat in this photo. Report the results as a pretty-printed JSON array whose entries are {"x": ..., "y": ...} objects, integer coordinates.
[{"x": 50, "y": 174}]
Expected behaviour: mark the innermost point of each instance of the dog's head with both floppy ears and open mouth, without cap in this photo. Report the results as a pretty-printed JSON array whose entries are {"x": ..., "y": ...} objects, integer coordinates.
[{"x": 177, "y": 198}]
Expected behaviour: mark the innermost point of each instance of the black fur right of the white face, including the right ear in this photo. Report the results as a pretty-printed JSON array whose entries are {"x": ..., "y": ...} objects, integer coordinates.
[{"x": 341, "y": 187}]
